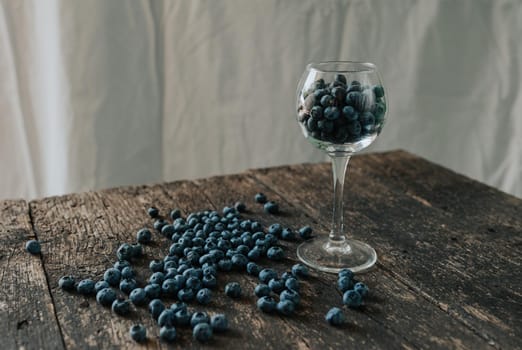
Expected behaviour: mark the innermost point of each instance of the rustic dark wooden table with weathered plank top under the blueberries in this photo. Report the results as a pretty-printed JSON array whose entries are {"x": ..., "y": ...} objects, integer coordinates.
[{"x": 448, "y": 274}]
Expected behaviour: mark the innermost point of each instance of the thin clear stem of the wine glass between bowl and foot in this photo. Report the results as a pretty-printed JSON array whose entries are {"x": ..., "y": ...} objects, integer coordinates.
[{"x": 339, "y": 165}]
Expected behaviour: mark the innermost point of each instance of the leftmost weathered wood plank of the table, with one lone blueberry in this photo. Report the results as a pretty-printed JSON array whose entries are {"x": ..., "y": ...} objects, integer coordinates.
[{"x": 27, "y": 314}]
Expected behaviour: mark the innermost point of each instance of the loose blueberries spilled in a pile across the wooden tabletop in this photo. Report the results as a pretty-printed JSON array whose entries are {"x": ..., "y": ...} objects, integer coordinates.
[{"x": 203, "y": 244}]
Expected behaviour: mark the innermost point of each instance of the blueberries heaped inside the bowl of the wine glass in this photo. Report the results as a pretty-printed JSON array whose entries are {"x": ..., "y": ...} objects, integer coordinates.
[{"x": 340, "y": 112}]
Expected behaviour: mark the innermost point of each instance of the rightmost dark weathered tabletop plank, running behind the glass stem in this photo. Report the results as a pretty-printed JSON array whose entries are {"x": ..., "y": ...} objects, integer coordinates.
[{"x": 429, "y": 249}]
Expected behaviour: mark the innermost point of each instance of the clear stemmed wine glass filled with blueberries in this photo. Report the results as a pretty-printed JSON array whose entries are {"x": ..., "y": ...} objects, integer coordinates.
[{"x": 341, "y": 109}]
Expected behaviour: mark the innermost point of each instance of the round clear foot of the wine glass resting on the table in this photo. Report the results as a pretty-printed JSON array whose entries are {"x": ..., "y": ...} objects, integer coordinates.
[{"x": 322, "y": 254}]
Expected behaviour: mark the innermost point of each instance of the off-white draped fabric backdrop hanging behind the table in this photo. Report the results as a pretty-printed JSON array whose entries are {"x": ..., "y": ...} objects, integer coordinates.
[{"x": 102, "y": 93}]
